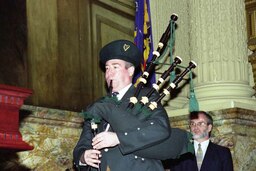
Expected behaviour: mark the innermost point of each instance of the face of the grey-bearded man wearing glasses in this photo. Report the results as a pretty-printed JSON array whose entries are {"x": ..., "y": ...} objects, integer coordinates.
[{"x": 200, "y": 128}]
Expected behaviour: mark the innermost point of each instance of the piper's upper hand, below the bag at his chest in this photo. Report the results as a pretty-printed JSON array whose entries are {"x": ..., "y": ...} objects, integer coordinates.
[{"x": 105, "y": 139}]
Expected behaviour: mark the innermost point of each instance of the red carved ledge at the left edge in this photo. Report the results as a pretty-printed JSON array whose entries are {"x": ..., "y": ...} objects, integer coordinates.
[{"x": 11, "y": 100}]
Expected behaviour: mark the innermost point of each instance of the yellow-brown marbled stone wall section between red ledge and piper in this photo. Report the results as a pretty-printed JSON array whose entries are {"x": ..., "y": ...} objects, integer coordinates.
[{"x": 53, "y": 133}]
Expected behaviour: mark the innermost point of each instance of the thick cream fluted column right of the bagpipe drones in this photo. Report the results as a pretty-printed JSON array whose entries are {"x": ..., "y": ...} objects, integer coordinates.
[{"x": 218, "y": 44}]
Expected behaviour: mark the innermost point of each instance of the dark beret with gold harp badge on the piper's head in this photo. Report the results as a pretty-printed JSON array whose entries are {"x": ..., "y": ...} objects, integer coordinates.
[{"x": 121, "y": 49}]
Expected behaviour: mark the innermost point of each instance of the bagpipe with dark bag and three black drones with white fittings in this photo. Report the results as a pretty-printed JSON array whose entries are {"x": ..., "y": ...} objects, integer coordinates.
[{"x": 138, "y": 111}]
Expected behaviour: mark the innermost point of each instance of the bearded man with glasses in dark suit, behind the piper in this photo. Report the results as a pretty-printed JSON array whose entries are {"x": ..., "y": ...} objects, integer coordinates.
[{"x": 211, "y": 157}]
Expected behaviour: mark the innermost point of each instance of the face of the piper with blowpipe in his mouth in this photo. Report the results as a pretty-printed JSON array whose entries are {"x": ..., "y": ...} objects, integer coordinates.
[{"x": 118, "y": 73}]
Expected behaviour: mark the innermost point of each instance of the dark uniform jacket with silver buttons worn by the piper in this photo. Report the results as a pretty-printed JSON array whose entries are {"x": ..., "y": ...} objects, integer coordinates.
[{"x": 123, "y": 157}]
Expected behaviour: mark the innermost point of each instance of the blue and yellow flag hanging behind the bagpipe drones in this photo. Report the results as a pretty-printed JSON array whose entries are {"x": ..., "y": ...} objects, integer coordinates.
[{"x": 143, "y": 37}]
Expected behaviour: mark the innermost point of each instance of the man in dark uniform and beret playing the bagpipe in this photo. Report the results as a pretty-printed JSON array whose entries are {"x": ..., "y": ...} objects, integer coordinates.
[{"x": 120, "y": 58}]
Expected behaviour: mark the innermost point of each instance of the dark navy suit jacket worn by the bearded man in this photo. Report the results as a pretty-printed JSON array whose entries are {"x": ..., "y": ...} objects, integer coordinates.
[{"x": 217, "y": 158}]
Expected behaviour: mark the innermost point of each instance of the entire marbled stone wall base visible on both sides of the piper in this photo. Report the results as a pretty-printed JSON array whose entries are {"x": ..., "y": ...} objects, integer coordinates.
[{"x": 54, "y": 134}]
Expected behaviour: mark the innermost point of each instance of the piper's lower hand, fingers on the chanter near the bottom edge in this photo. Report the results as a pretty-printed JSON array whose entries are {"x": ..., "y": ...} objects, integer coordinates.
[{"x": 91, "y": 158}]
